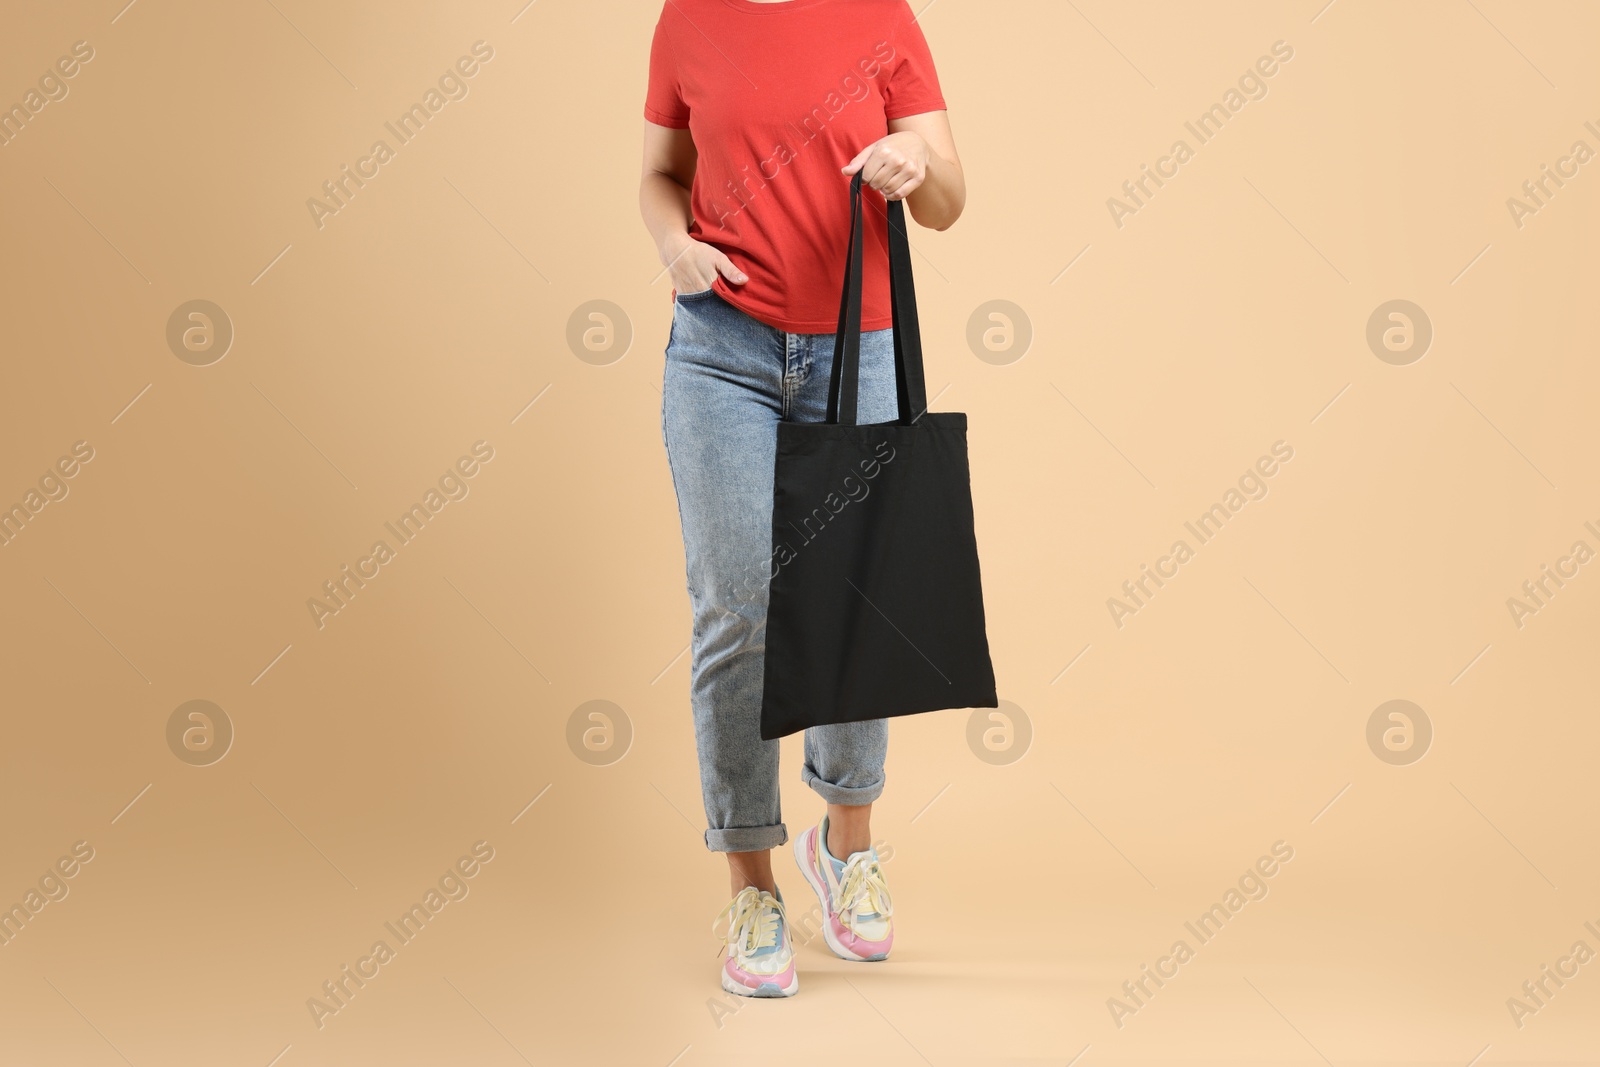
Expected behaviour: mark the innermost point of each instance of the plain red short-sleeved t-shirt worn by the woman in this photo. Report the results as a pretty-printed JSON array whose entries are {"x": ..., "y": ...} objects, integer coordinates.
[{"x": 778, "y": 98}]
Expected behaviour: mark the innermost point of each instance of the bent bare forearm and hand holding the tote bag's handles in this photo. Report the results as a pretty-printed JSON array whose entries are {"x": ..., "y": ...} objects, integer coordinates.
[{"x": 918, "y": 164}]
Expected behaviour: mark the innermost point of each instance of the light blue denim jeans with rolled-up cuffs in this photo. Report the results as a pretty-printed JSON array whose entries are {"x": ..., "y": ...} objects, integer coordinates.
[{"x": 729, "y": 382}]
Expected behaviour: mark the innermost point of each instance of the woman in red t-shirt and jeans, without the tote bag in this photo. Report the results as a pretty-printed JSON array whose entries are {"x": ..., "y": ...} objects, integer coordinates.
[{"x": 758, "y": 116}]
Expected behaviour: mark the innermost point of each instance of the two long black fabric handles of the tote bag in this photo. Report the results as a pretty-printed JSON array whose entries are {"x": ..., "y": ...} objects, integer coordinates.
[{"x": 910, "y": 385}]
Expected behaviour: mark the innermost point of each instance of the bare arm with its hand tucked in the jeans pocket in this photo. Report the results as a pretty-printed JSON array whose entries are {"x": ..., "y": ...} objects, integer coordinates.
[{"x": 665, "y": 204}]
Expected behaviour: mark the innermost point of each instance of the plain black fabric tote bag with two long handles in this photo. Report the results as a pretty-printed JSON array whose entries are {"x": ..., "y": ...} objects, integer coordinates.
[{"x": 876, "y": 605}]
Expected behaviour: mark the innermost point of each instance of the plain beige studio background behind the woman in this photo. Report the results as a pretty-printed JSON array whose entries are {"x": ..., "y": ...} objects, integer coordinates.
[{"x": 1230, "y": 714}]
